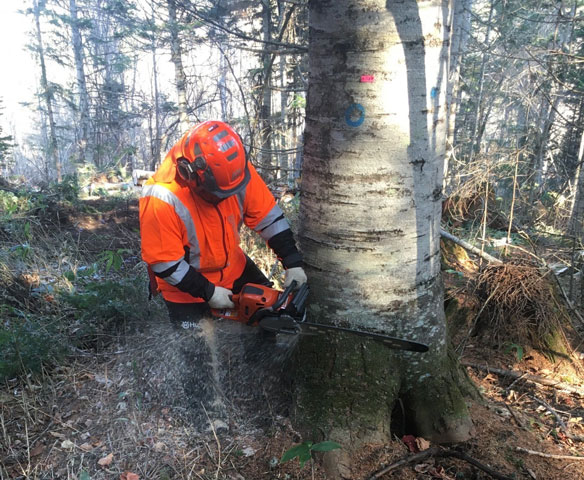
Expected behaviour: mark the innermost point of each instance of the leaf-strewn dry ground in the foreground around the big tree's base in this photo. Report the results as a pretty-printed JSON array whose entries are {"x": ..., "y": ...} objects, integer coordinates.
[{"x": 89, "y": 417}]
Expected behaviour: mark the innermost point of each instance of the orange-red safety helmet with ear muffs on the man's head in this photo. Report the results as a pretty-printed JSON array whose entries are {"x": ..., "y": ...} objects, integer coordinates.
[{"x": 214, "y": 158}]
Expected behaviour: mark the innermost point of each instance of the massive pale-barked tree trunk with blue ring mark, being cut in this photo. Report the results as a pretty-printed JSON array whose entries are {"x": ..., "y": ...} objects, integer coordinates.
[{"x": 370, "y": 213}]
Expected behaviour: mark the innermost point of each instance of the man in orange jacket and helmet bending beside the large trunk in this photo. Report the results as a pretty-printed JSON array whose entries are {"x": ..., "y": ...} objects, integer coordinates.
[{"x": 191, "y": 211}]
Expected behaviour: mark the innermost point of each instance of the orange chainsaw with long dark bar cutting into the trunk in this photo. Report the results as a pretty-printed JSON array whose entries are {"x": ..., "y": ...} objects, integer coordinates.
[{"x": 285, "y": 312}]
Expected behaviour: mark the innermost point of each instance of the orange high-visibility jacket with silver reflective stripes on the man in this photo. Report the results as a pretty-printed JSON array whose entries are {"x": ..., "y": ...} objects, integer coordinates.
[{"x": 179, "y": 229}]
